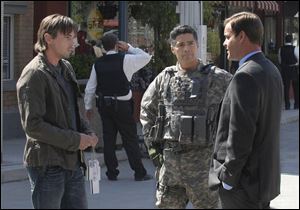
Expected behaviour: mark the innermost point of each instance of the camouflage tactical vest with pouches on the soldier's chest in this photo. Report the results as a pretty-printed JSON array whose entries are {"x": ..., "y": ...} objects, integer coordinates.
[{"x": 185, "y": 102}]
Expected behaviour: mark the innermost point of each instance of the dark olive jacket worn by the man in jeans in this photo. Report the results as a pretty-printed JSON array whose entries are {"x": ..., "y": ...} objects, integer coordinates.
[{"x": 46, "y": 117}]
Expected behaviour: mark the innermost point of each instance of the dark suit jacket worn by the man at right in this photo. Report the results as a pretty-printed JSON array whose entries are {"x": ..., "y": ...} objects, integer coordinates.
[{"x": 246, "y": 152}]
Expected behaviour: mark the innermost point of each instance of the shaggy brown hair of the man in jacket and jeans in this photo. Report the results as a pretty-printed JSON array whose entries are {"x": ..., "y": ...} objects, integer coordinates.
[{"x": 53, "y": 24}]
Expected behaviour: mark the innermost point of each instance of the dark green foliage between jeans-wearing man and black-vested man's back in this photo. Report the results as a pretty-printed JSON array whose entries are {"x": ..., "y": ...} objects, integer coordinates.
[{"x": 82, "y": 65}]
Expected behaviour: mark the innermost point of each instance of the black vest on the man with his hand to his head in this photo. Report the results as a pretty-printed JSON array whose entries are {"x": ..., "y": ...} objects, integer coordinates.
[{"x": 111, "y": 79}]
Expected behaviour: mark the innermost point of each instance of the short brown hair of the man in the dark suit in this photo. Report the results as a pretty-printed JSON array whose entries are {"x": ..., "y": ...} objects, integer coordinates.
[{"x": 248, "y": 22}]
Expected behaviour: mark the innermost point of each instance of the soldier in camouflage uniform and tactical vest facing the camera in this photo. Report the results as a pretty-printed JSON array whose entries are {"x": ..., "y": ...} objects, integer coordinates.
[{"x": 178, "y": 113}]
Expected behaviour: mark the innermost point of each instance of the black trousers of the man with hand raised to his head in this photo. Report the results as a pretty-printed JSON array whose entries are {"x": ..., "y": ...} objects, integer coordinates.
[{"x": 117, "y": 116}]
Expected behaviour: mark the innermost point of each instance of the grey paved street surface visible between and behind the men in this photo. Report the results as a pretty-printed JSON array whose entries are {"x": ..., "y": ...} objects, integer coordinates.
[{"x": 128, "y": 194}]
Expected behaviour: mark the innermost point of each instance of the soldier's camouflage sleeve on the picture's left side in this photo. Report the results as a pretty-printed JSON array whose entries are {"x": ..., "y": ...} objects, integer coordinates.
[{"x": 149, "y": 105}]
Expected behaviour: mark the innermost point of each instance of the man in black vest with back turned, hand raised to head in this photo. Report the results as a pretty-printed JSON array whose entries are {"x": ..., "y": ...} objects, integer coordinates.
[{"x": 109, "y": 79}]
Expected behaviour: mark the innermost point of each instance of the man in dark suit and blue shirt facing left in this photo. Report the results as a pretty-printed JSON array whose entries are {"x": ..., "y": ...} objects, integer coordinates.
[{"x": 245, "y": 167}]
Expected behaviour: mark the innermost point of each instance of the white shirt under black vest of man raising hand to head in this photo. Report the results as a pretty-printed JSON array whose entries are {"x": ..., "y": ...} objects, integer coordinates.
[{"x": 133, "y": 61}]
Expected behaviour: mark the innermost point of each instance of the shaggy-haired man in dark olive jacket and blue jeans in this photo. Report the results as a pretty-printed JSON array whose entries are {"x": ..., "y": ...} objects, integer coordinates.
[{"x": 47, "y": 94}]
